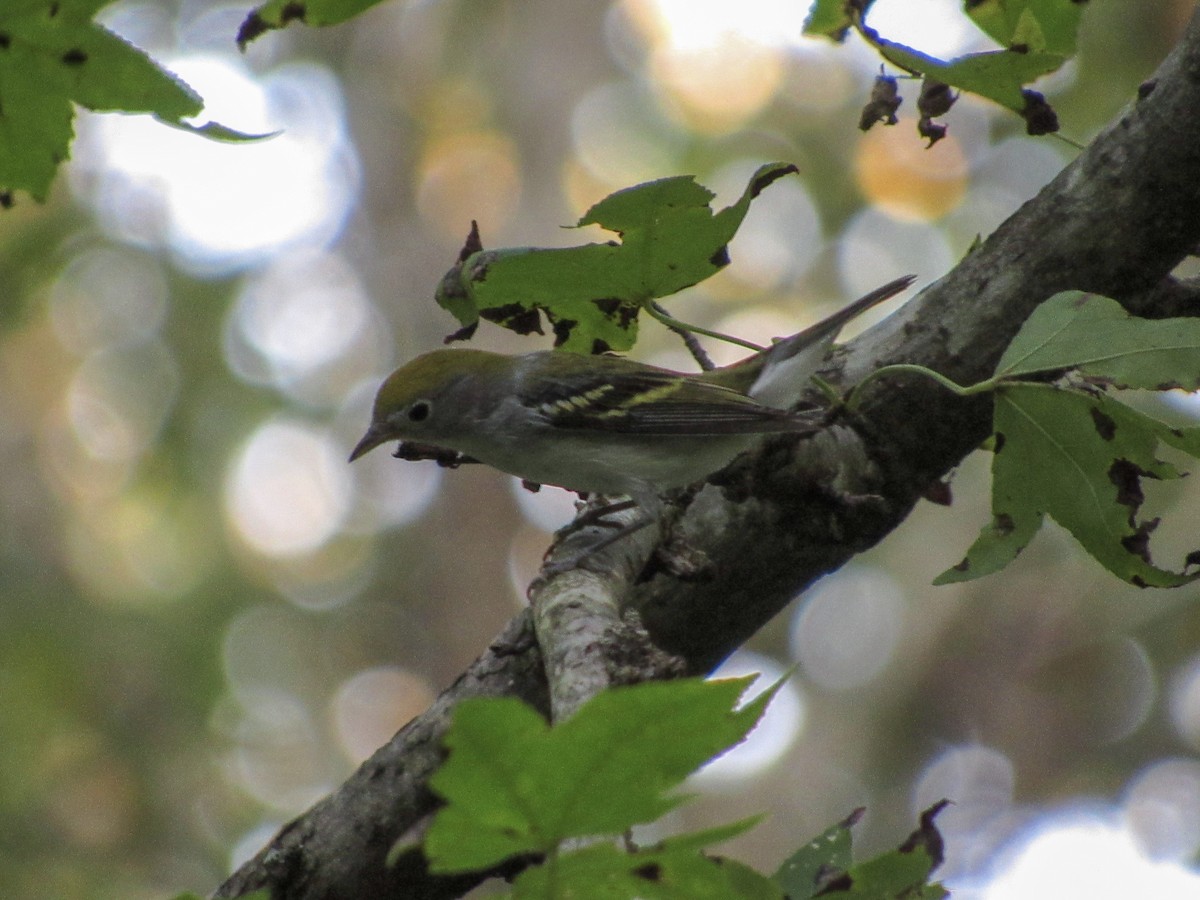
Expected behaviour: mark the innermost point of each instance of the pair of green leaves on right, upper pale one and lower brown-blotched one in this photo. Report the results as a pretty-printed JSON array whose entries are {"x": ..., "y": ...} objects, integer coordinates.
[{"x": 1075, "y": 453}]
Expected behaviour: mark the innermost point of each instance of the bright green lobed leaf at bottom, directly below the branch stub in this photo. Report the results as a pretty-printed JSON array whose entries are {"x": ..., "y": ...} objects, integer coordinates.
[{"x": 515, "y": 785}]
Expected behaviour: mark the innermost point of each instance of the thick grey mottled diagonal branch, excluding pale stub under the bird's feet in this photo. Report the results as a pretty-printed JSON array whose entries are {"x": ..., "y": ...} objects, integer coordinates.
[{"x": 1115, "y": 221}]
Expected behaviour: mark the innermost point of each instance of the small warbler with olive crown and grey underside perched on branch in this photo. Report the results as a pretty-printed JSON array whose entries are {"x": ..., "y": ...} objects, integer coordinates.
[{"x": 604, "y": 424}]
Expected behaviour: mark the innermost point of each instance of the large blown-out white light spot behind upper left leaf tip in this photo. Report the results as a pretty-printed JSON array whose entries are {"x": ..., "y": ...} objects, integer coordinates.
[{"x": 220, "y": 207}]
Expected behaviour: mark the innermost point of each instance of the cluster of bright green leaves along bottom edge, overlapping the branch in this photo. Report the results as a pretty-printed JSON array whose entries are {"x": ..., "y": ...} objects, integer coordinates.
[{"x": 557, "y": 796}]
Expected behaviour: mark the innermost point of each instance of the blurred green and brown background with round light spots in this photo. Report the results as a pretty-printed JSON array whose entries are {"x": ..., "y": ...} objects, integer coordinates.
[{"x": 208, "y": 619}]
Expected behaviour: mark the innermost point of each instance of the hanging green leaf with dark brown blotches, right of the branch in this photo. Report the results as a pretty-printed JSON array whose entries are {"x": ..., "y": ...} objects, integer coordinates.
[{"x": 1081, "y": 458}]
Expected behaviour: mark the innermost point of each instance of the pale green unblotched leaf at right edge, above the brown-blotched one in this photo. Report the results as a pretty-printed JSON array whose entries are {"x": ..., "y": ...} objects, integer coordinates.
[{"x": 1097, "y": 337}]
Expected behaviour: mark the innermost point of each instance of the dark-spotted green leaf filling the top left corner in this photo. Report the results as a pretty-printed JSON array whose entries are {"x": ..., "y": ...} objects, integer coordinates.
[{"x": 51, "y": 56}]
